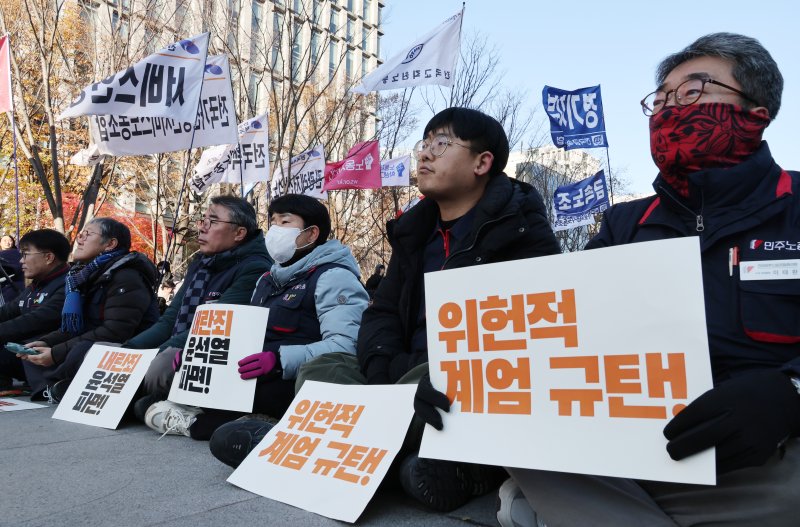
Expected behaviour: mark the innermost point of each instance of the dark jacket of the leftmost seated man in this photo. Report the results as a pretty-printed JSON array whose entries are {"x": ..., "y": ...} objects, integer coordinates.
[{"x": 36, "y": 311}]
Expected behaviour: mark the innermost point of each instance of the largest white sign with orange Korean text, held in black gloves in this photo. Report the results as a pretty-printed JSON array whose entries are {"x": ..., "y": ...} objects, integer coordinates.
[{"x": 574, "y": 362}]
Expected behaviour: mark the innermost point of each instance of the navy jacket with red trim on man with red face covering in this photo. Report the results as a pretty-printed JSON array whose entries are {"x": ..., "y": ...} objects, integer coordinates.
[{"x": 750, "y": 212}]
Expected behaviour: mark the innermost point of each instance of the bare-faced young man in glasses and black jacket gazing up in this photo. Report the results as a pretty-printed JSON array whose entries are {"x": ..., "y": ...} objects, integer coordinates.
[{"x": 472, "y": 214}]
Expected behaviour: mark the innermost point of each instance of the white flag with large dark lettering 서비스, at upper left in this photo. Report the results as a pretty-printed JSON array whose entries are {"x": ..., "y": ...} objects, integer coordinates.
[{"x": 165, "y": 84}]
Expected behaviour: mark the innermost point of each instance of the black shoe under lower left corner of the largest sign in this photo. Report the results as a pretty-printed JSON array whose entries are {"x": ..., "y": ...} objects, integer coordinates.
[{"x": 440, "y": 485}]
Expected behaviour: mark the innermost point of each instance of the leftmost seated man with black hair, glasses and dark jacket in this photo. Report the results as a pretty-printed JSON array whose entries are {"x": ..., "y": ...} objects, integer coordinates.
[{"x": 37, "y": 310}]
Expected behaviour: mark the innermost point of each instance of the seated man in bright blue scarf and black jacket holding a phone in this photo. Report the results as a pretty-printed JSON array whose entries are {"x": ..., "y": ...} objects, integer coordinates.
[{"x": 109, "y": 298}]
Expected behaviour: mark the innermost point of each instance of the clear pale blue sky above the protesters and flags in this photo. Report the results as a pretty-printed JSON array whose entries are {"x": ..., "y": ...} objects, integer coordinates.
[{"x": 616, "y": 44}]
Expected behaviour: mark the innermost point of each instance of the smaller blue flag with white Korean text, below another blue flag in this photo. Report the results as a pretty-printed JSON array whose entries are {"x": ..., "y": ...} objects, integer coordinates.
[{"x": 576, "y": 204}]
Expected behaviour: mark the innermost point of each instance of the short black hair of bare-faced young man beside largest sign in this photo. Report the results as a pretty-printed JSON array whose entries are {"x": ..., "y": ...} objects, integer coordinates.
[{"x": 483, "y": 131}]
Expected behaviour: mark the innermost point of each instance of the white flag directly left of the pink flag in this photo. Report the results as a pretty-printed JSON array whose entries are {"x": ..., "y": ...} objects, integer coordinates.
[{"x": 302, "y": 174}]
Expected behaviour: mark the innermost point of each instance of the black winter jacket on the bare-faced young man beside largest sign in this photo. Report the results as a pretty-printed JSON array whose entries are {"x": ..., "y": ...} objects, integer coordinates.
[{"x": 509, "y": 223}]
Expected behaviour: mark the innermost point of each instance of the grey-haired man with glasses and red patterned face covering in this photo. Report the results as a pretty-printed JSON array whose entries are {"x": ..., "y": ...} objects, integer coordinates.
[{"x": 718, "y": 181}]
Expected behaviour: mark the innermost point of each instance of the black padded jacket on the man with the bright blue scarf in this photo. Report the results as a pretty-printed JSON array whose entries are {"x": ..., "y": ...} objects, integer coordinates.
[{"x": 117, "y": 303}]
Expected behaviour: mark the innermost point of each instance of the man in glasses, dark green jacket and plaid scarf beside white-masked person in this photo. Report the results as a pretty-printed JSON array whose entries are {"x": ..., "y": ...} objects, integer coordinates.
[{"x": 232, "y": 256}]
